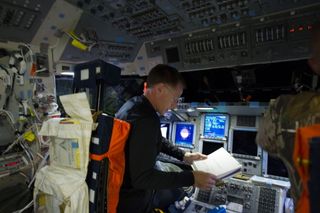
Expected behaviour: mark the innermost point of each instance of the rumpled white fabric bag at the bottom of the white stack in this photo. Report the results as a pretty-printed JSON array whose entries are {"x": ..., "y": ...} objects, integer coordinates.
[{"x": 59, "y": 190}]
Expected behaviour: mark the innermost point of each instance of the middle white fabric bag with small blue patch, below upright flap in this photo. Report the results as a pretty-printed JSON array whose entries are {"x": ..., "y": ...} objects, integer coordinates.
[{"x": 69, "y": 142}]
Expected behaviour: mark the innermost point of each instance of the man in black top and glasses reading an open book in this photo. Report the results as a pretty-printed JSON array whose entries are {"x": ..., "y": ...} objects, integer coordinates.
[{"x": 164, "y": 87}]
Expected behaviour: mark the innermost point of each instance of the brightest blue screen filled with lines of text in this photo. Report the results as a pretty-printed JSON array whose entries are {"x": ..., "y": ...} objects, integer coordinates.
[{"x": 215, "y": 127}]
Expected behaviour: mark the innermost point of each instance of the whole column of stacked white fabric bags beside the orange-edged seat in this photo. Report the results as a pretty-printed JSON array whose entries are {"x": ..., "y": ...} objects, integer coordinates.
[{"x": 61, "y": 186}]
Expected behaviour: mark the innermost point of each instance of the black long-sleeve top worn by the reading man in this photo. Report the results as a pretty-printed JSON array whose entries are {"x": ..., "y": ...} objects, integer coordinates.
[{"x": 144, "y": 144}]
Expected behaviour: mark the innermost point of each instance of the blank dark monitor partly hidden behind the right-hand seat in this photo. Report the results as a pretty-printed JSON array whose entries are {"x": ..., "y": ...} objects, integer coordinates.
[{"x": 275, "y": 167}]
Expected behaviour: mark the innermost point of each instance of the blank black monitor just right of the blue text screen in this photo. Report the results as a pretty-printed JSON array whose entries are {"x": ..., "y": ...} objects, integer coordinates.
[{"x": 243, "y": 142}]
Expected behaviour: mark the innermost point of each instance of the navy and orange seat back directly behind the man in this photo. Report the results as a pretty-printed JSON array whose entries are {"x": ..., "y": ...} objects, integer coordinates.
[{"x": 107, "y": 163}]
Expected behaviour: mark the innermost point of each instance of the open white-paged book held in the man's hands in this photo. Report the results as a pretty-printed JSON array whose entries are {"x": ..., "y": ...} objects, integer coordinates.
[{"x": 220, "y": 163}]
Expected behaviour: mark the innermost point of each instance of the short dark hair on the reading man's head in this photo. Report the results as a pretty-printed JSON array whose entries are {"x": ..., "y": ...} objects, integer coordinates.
[{"x": 163, "y": 73}]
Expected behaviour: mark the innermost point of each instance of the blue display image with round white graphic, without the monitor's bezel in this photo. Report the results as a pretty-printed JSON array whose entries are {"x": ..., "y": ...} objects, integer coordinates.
[{"x": 184, "y": 135}]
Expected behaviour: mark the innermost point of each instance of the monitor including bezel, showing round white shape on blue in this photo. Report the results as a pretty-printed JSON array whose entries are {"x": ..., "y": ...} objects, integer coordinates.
[{"x": 184, "y": 134}]
